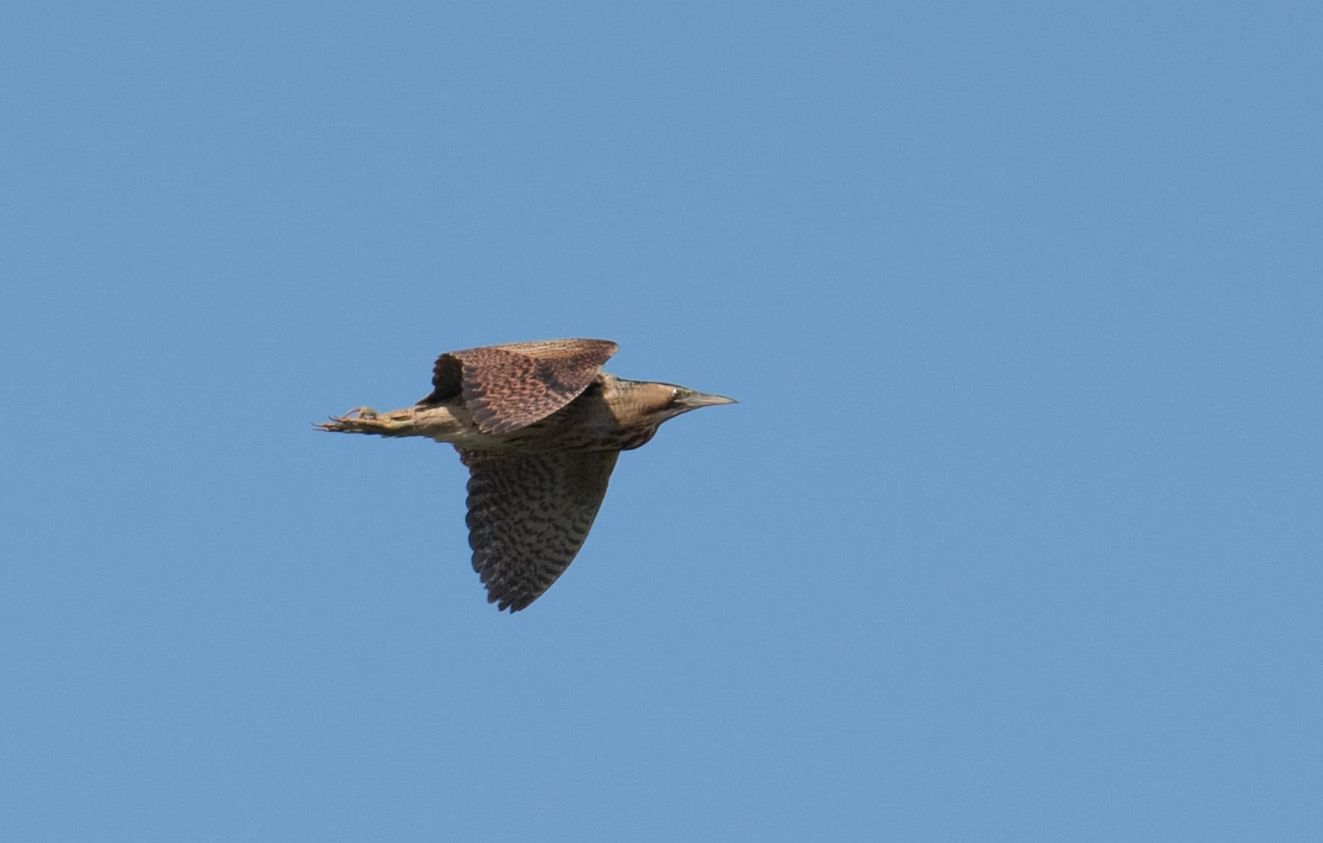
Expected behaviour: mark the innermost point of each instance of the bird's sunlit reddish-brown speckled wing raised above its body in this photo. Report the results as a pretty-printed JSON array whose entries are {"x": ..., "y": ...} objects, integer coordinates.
[{"x": 511, "y": 387}]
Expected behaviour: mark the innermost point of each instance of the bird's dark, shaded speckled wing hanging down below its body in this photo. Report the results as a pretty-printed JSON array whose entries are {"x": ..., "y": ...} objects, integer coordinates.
[{"x": 529, "y": 515}]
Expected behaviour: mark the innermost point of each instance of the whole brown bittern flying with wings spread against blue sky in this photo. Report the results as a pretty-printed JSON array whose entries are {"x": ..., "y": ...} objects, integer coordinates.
[{"x": 540, "y": 427}]
